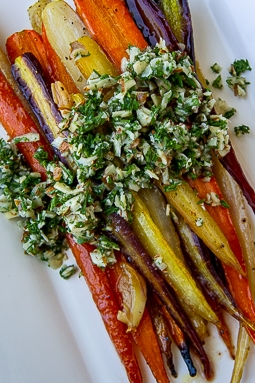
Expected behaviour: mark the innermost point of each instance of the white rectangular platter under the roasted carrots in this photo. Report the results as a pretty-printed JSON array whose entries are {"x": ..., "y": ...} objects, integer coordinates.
[{"x": 50, "y": 330}]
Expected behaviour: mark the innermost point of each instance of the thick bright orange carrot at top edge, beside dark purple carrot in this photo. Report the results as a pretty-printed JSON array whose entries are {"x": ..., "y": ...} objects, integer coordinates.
[{"x": 111, "y": 25}]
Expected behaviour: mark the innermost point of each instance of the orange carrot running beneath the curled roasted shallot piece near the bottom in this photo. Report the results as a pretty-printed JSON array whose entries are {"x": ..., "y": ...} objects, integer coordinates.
[{"x": 144, "y": 336}]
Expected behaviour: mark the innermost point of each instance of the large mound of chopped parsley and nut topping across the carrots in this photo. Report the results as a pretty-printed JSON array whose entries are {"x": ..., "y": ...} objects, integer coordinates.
[{"x": 153, "y": 122}]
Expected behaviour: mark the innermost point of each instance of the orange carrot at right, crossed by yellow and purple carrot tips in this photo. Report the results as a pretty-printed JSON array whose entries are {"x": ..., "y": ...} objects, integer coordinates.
[{"x": 238, "y": 285}]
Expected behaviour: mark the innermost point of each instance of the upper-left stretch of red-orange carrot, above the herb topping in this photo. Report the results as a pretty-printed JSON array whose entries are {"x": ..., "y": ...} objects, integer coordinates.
[{"x": 17, "y": 122}]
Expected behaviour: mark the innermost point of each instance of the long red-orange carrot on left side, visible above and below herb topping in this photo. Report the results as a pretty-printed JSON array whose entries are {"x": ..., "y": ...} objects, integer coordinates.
[{"x": 16, "y": 121}]
